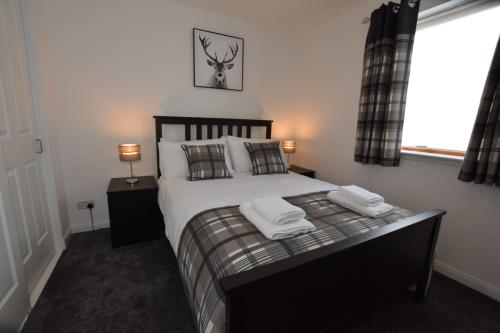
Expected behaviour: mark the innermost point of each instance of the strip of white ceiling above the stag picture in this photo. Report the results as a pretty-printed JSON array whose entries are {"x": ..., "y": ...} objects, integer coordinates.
[{"x": 293, "y": 15}]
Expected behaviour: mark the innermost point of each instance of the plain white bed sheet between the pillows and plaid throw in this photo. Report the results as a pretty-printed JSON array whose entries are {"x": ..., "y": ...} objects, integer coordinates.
[{"x": 180, "y": 199}]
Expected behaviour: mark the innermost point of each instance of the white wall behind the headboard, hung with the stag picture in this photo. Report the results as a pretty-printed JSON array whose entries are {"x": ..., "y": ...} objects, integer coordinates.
[{"x": 116, "y": 63}]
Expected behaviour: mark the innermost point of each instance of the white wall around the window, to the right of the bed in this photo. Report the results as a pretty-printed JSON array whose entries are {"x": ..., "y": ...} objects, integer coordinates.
[{"x": 329, "y": 86}]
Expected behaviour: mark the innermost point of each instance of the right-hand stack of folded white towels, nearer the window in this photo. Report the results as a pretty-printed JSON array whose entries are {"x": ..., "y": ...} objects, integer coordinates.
[{"x": 360, "y": 200}]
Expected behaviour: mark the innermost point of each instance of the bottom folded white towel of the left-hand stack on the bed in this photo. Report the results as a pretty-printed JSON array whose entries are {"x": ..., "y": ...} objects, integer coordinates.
[{"x": 271, "y": 230}]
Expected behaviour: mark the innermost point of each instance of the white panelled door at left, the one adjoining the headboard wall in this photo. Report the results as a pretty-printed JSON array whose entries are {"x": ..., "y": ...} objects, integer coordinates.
[{"x": 21, "y": 164}]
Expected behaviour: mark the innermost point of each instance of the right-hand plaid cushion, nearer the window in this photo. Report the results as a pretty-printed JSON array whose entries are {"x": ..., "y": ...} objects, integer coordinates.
[{"x": 266, "y": 158}]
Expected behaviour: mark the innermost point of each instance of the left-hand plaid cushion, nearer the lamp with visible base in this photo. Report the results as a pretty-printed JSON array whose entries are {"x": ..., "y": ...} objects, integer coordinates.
[{"x": 206, "y": 162}]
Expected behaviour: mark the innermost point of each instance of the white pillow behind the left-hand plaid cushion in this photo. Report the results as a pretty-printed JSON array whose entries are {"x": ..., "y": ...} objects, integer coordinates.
[{"x": 173, "y": 162}]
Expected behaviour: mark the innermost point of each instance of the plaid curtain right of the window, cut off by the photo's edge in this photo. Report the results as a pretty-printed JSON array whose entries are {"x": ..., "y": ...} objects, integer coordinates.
[{"x": 482, "y": 159}]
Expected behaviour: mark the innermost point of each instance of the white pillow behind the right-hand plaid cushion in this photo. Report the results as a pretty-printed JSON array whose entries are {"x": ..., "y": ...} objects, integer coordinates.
[{"x": 239, "y": 154}]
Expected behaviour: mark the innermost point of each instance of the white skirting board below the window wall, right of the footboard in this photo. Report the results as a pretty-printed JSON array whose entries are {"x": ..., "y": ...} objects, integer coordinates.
[{"x": 468, "y": 280}]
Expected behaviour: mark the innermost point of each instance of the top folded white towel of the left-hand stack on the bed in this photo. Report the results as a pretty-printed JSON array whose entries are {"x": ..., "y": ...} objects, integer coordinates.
[{"x": 277, "y": 211}]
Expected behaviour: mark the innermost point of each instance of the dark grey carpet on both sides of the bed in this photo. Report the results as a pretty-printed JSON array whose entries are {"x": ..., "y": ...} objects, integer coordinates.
[{"x": 138, "y": 289}]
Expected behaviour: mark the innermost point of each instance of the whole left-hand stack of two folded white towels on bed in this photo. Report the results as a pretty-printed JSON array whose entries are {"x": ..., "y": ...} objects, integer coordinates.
[{"x": 275, "y": 218}]
